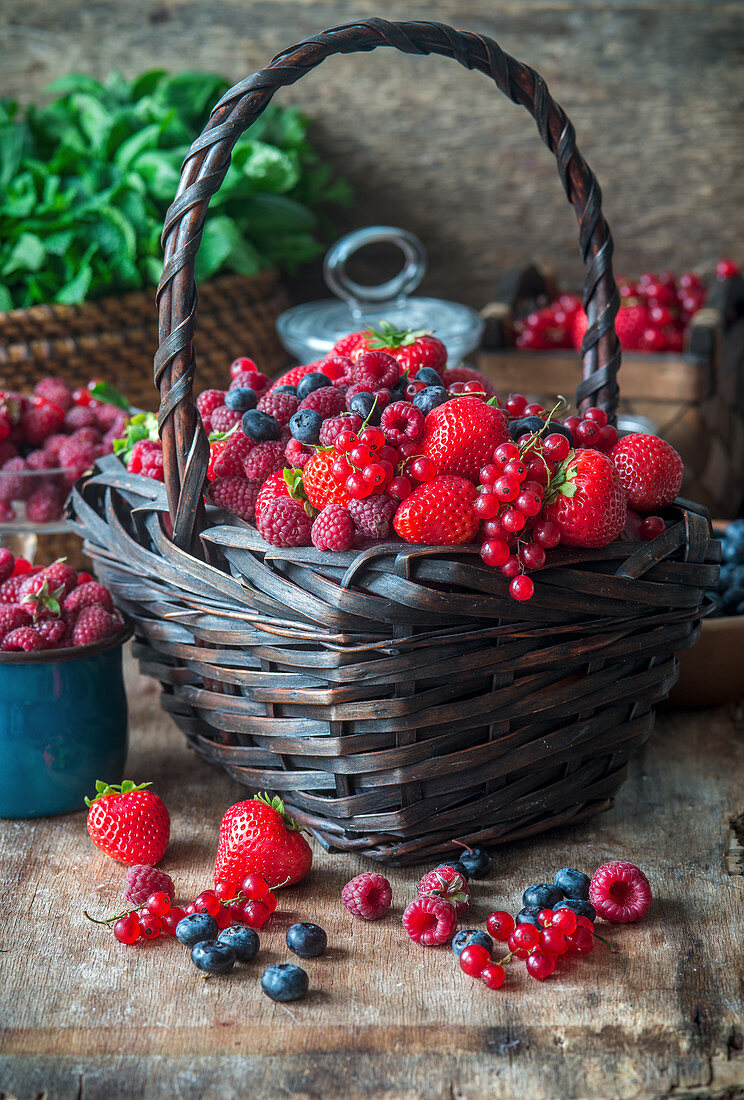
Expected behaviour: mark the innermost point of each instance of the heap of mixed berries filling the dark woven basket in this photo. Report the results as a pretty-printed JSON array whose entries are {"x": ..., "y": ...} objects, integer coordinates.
[{"x": 382, "y": 439}]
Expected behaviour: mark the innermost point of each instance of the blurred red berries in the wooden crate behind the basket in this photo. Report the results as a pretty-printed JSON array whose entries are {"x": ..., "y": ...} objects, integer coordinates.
[{"x": 654, "y": 315}]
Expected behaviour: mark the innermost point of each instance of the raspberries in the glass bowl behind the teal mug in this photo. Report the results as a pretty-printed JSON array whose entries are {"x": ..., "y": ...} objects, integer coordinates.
[{"x": 48, "y": 441}]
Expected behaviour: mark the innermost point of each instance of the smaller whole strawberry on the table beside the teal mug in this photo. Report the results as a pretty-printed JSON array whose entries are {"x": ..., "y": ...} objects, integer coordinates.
[{"x": 128, "y": 822}]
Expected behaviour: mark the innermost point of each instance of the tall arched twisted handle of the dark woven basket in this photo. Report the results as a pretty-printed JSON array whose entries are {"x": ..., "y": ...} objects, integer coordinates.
[{"x": 185, "y": 446}]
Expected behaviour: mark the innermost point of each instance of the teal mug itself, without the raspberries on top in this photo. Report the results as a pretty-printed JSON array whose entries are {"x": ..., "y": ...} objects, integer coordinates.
[{"x": 63, "y": 725}]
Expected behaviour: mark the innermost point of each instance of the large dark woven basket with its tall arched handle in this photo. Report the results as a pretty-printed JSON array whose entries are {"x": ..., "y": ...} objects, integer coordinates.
[{"x": 398, "y": 699}]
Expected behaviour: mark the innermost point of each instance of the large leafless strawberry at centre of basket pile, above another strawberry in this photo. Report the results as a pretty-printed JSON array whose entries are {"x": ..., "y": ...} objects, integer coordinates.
[{"x": 462, "y": 436}]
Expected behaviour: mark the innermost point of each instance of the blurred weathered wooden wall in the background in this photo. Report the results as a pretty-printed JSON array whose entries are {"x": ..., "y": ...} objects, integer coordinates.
[{"x": 655, "y": 91}]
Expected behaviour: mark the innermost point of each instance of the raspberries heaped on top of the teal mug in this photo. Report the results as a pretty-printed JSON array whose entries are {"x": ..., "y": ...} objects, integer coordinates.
[{"x": 52, "y": 608}]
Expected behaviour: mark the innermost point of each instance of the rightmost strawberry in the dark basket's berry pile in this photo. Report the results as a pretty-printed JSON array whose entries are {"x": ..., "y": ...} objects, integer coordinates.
[{"x": 650, "y": 469}]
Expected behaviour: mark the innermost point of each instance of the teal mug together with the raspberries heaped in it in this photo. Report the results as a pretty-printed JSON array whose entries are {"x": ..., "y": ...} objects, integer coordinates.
[{"x": 63, "y": 708}]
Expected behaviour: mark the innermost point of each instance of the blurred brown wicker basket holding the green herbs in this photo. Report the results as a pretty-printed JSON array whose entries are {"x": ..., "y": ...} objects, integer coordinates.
[{"x": 114, "y": 338}]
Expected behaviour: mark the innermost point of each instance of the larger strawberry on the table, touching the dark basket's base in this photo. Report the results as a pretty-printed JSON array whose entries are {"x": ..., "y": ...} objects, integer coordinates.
[{"x": 259, "y": 837}]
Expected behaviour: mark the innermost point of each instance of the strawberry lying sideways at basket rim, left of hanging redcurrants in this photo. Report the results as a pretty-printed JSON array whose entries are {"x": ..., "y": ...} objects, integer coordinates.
[{"x": 439, "y": 513}]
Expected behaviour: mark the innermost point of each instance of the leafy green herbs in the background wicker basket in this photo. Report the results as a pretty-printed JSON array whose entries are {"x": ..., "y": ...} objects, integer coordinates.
[{"x": 86, "y": 180}]
